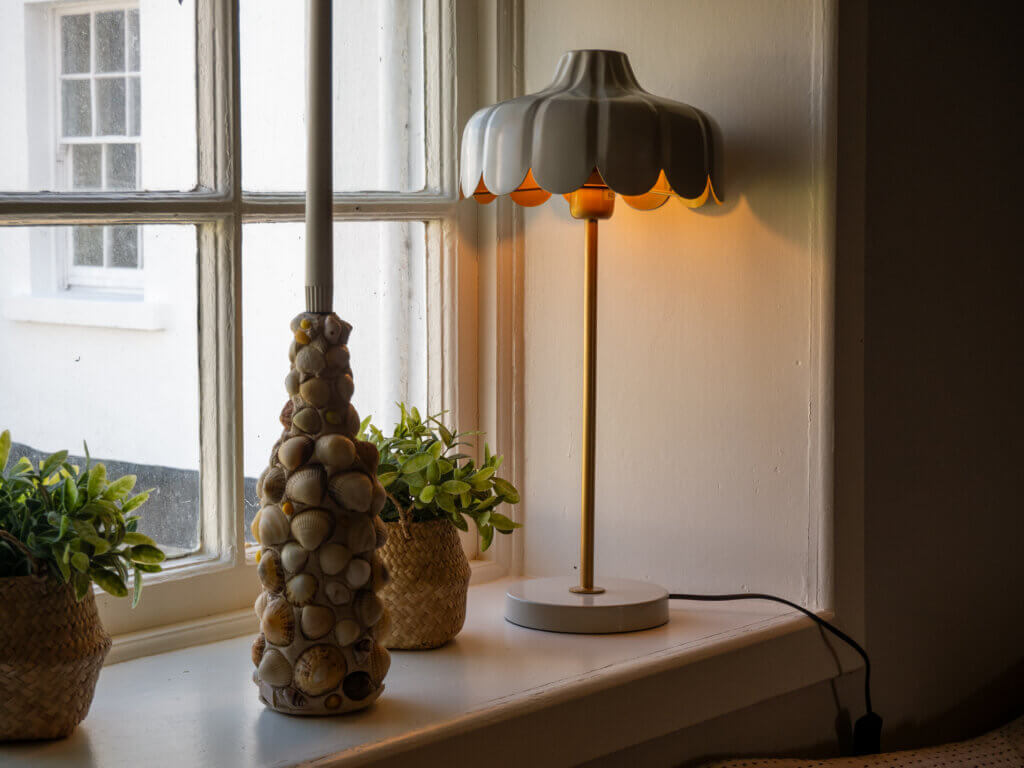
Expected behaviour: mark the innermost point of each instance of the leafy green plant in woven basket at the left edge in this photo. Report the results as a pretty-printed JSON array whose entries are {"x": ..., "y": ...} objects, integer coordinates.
[{"x": 62, "y": 531}]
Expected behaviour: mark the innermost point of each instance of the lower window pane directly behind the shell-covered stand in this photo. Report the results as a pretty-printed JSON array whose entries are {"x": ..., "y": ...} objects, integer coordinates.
[{"x": 380, "y": 288}]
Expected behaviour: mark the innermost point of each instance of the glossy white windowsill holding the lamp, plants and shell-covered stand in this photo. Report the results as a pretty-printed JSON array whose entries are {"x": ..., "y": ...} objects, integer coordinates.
[{"x": 516, "y": 696}]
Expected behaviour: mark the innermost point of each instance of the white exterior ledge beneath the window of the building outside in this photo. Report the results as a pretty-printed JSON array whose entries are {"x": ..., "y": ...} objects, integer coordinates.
[{"x": 89, "y": 310}]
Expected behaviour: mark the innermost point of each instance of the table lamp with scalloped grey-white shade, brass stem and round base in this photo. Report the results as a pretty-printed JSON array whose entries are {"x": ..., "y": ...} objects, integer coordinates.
[{"x": 590, "y": 136}]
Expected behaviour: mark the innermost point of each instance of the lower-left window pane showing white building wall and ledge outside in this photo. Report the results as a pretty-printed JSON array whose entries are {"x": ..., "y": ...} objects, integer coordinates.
[{"x": 133, "y": 395}]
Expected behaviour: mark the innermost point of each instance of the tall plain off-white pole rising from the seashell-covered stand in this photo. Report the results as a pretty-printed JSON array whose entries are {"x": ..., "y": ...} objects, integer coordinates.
[{"x": 320, "y": 162}]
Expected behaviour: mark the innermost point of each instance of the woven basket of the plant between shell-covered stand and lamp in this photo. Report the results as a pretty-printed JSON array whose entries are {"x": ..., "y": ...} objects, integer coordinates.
[{"x": 426, "y": 598}]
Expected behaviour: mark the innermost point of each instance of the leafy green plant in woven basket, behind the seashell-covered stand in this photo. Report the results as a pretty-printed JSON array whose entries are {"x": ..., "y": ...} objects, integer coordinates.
[{"x": 433, "y": 489}]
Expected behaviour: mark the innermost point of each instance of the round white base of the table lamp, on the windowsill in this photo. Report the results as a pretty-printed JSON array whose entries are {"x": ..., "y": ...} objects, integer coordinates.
[{"x": 626, "y": 606}]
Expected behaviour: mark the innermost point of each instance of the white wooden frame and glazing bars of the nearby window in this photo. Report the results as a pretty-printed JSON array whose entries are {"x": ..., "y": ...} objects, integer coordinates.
[{"x": 221, "y": 580}]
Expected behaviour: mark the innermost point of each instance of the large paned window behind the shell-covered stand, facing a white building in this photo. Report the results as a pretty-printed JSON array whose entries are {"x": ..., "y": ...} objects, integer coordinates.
[{"x": 186, "y": 198}]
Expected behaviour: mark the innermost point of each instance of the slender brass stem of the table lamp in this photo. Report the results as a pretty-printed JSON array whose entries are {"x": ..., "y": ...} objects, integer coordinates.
[{"x": 589, "y": 412}]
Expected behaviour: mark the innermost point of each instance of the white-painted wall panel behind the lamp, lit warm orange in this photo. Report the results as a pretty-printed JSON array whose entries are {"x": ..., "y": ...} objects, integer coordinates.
[{"x": 710, "y": 362}]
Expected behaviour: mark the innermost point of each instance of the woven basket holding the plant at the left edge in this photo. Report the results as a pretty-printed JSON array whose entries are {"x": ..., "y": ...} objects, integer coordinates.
[{"x": 52, "y": 649}]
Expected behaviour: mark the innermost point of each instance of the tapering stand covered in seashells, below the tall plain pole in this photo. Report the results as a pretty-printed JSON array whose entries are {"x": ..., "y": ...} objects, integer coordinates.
[{"x": 321, "y": 620}]
